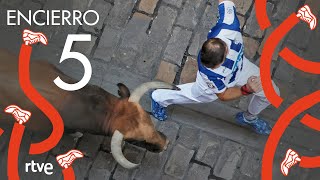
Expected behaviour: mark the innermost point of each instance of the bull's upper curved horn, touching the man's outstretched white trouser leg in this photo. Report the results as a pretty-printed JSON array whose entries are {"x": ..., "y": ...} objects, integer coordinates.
[{"x": 143, "y": 88}]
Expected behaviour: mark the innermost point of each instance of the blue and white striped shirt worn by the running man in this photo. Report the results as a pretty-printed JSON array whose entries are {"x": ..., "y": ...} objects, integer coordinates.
[{"x": 228, "y": 30}]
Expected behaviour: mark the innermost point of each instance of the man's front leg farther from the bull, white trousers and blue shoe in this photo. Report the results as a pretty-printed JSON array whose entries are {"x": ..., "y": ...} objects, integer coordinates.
[{"x": 257, "y": 103}]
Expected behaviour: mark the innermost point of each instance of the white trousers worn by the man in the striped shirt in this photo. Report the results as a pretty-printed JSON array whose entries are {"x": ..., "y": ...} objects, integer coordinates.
[{"x": 194, "y": 93}]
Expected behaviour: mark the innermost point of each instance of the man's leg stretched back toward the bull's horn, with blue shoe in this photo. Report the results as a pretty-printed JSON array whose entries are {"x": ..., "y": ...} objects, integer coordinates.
[{"x": 189, "y": 93}]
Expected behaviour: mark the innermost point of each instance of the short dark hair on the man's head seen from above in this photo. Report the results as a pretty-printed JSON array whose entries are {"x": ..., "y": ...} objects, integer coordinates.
[{"x": 213, "y": 52}]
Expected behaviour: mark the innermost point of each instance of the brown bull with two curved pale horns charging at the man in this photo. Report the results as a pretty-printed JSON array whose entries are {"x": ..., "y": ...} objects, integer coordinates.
[{"x": 90, "y": 109}]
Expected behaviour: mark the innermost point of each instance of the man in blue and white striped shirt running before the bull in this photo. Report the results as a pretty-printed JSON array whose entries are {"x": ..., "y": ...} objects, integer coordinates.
[{"x": 224, "y": 73}]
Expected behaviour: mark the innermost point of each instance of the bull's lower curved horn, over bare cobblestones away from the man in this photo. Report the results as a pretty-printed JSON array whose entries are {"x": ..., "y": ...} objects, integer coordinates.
[{"x": 116, "y": 151}]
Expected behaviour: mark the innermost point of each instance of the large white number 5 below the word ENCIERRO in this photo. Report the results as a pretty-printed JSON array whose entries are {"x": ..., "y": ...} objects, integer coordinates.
[{"x": 66, "y": 54}]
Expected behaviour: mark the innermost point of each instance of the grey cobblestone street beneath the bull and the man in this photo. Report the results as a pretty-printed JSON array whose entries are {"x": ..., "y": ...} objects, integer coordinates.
[{"x": 138, "y": 41}]
